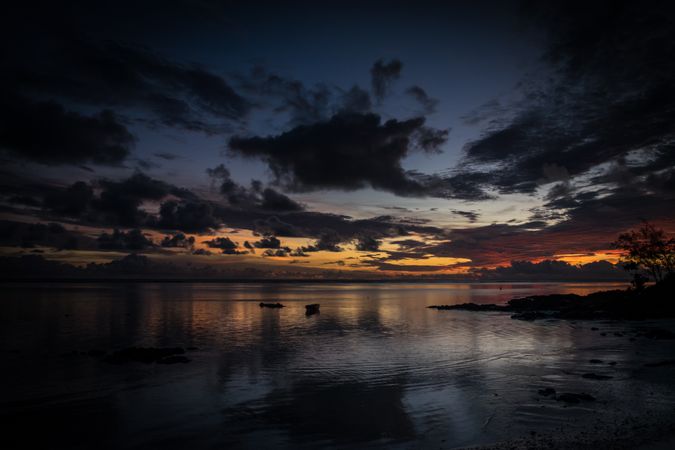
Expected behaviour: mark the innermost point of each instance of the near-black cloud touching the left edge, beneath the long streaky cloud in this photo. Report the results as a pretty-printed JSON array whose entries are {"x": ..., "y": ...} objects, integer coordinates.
[{"x": 47, "y": 133}]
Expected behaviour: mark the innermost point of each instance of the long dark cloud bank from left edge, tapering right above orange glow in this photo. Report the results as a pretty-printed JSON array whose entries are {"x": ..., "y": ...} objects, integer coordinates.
[{"x": 133, "y": 201}]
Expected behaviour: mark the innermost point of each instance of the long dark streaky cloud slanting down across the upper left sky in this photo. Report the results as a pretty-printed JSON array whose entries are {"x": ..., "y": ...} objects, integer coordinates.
[{"x": 86, "y": 72}]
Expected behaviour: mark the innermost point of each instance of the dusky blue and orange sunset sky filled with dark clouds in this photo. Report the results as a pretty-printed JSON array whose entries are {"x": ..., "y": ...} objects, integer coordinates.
[{"x": 334, "y": 139}]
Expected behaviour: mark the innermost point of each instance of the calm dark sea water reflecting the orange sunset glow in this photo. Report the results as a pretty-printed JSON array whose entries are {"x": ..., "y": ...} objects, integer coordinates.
[{"x": 375, "y": 368}]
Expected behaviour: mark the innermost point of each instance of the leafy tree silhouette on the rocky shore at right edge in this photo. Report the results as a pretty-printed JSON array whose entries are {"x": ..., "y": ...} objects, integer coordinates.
[{"x": 647, "y": 249}]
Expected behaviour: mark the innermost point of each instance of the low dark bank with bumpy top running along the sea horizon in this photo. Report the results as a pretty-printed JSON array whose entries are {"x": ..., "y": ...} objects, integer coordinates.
[{"x": 140, "y": 268}]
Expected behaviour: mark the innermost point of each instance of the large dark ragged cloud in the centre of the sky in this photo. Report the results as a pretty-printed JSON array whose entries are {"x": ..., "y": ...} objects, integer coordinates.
[{"x": 349, "y": 151}]
